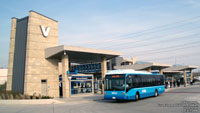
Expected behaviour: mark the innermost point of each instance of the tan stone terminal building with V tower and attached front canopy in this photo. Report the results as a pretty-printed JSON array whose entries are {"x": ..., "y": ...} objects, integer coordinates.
[{"x": 38, "y": 65}]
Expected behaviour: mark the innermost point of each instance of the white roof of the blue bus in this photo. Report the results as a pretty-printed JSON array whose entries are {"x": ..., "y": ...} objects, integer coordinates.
[{"x": 126, "y": 71}]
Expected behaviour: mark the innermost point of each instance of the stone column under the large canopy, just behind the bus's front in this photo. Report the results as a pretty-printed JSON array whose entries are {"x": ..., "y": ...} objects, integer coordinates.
[{"x": 103, "y": 72}]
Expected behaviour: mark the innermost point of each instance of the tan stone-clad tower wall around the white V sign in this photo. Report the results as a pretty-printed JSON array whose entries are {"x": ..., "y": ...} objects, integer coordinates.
[{"x": 37, "y": 67}]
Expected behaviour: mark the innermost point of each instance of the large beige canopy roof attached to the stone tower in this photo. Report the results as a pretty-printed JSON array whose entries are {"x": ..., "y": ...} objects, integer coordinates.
[{"x": 79, "y": 54}]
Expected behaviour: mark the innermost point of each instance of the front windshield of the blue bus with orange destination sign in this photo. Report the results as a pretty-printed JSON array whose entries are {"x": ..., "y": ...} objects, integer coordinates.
[{"x": 115, "y": 82}]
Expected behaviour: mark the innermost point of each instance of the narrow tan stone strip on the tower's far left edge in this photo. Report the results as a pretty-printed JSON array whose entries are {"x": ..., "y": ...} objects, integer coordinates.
[{"x": 11, "y": 54}]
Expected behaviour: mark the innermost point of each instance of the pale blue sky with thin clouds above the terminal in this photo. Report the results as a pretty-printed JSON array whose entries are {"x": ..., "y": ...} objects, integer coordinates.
[{"x": 163, "y": 31}]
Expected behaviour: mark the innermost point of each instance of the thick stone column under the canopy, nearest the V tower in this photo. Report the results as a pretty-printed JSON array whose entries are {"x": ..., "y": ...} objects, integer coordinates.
[{"x": 66, "y": 82}]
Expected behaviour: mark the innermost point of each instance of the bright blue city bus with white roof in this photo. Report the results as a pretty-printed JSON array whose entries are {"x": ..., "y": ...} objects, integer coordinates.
[{"x": 132, "y": 85}]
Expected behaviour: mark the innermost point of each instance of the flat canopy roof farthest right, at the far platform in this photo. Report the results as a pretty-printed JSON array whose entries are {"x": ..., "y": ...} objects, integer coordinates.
[{"x": 180, "y": 68}]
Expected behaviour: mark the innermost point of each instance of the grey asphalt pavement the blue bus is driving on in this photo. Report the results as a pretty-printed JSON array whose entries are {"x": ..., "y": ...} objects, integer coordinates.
[{"x": 180, "y": 100}]
